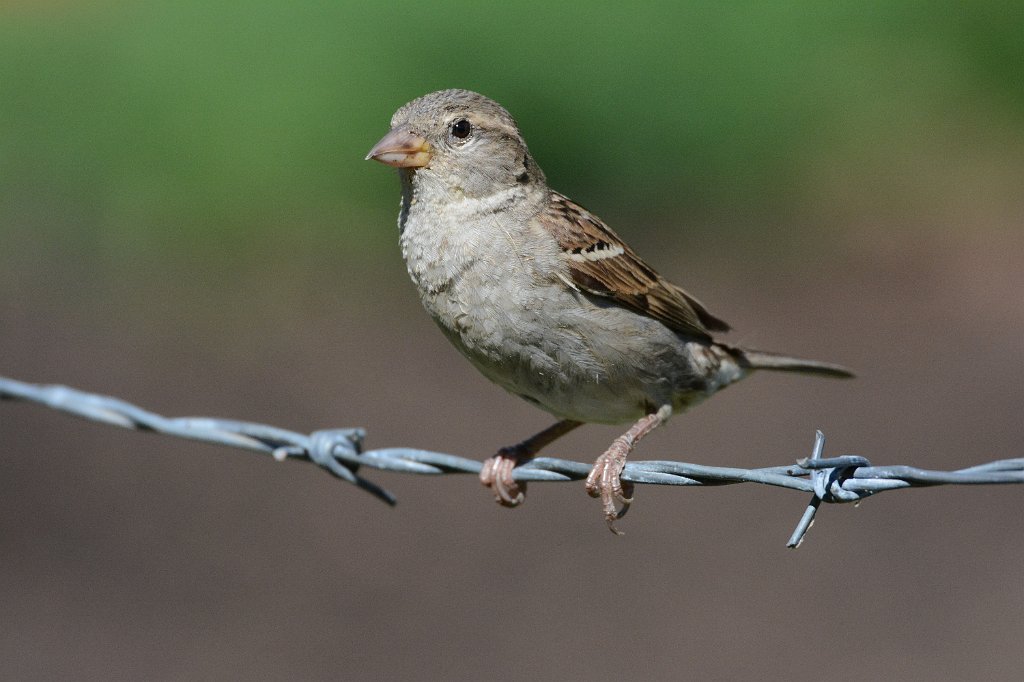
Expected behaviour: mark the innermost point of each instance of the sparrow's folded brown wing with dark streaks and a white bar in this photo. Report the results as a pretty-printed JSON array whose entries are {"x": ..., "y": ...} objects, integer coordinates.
[{"x": 603, "y": 265}]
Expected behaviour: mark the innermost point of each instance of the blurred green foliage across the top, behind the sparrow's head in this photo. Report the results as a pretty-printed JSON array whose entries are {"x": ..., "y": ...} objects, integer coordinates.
[{"x": 126, "y": 123}]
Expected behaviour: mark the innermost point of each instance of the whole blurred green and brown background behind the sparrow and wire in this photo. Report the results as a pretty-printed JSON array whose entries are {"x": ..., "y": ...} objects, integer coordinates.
[{"x": 187, "y": 223}]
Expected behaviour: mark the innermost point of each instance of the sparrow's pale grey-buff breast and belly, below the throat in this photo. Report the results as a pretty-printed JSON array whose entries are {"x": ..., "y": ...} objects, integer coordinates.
[{"x": 495, "y": 289}]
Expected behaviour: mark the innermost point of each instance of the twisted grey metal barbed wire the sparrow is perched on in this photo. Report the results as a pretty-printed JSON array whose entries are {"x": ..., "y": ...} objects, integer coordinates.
[{"x": 836, "y": 480}]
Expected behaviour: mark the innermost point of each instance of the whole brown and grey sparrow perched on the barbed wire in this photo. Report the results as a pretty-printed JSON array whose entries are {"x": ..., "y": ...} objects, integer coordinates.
[{"x": 543, "y": 299}]
